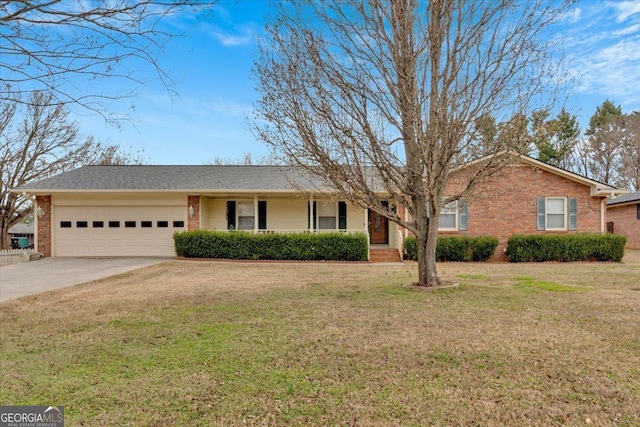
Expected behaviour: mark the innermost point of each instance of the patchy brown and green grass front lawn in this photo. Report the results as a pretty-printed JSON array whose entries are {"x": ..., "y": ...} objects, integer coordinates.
[{"x": 232, "y": 343}]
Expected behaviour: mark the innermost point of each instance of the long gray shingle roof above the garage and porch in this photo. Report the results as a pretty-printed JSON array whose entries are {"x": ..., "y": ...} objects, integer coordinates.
[{"x": 176, "y": 178}]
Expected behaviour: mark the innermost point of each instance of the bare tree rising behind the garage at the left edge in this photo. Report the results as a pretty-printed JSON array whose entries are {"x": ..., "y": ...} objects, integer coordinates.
[{"x": 37, "y": 140}]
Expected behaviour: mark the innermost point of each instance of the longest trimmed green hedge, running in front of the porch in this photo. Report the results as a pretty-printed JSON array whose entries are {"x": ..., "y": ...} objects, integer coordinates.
[{"x": 241, "y": 245}]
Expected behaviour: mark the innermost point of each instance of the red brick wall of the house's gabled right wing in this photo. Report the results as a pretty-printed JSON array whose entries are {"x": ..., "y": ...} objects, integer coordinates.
[{"x": 506, "y": 205}]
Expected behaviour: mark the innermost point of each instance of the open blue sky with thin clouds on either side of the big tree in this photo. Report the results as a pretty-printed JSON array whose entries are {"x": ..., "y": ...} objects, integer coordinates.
[{"x": 212, "y": 68}]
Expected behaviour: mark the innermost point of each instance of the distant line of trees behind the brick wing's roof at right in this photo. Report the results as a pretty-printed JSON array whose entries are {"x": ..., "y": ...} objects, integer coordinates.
[{"x": 607, "y": 151}]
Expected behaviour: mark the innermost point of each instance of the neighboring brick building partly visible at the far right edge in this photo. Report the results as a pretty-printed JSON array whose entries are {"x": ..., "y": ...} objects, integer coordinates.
[{"x": 623, "y": 215}]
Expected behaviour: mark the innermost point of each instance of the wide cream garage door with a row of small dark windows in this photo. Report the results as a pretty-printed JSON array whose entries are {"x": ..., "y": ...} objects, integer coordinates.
[{"x": 117, "y": 230}]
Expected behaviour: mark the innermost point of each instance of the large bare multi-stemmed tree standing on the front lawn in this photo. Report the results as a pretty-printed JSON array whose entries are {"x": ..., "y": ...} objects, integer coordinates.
[{"x": 381, "y": 98}]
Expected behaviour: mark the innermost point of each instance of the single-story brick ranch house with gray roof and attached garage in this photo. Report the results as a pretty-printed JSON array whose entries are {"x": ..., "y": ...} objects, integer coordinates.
[{"x": 134, "y": 210}]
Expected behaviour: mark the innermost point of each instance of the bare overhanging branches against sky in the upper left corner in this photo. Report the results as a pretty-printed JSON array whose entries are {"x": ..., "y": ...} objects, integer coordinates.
[{"x": 64, "y": 47}]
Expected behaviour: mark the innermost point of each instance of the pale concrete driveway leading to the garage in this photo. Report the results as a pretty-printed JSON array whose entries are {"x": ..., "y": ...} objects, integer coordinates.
[{"x": 26, "y": 278}]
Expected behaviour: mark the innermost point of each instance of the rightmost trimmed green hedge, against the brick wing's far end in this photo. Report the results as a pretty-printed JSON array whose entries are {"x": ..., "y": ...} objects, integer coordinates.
[{"x": 566, "y": 247}]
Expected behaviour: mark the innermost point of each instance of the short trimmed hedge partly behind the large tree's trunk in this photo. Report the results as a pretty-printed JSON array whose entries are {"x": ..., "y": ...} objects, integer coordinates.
[{"x": 456, "y": 248}]
